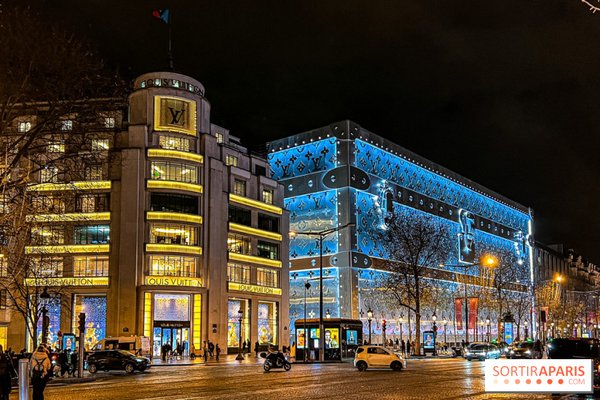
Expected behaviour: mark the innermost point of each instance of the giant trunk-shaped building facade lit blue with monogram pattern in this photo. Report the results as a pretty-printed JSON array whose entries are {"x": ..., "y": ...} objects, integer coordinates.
[{"x": 343, "y": 173}]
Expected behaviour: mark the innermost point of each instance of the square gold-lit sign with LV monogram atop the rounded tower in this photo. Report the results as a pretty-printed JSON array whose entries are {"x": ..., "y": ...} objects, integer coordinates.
[{"x": 174, "y": 114}]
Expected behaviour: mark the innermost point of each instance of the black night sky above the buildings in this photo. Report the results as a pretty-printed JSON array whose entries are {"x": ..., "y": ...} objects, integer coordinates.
[{"x": 505, "y": 93}]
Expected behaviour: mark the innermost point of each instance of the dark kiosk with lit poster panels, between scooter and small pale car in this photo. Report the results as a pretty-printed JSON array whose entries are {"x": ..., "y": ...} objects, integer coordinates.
[{"x": 339, "y": 341}]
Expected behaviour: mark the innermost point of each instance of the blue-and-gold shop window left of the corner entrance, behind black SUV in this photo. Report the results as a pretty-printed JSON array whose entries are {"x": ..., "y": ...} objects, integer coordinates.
[{"x": 94, "y": 307}]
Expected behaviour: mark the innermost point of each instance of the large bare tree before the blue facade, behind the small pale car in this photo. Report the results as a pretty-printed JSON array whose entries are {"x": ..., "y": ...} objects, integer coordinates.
[{"x": 414, "y": 247}]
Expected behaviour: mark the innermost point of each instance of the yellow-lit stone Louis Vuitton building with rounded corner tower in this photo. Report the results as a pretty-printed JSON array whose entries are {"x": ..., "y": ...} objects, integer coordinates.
[{"x": 169, "y": 237}]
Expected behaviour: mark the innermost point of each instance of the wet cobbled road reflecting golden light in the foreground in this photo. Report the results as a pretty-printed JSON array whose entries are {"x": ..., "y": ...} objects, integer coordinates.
[{"x": 423, "y": 379}]
